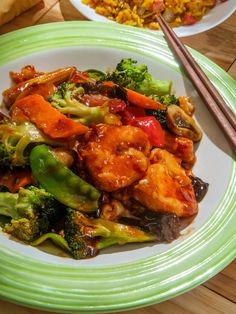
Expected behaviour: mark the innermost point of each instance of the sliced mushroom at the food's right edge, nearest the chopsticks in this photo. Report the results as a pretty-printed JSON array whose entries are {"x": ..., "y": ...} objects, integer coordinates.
[{"x": 182, "y": 124}]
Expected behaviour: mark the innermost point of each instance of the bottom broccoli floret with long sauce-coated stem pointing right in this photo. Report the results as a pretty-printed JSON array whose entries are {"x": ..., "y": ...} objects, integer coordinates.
[{"x": 86, "y": 236}]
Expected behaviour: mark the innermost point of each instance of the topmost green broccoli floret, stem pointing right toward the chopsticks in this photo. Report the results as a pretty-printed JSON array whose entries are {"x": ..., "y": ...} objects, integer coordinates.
[{"x": 136, "y": 77}]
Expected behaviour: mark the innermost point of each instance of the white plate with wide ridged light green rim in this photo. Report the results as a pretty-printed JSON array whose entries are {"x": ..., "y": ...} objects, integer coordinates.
[{"x": 135, "y": 275}]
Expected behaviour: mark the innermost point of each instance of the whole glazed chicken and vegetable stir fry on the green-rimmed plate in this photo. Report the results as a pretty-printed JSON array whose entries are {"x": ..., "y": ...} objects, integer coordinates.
[{"x": 90, "y": 159}]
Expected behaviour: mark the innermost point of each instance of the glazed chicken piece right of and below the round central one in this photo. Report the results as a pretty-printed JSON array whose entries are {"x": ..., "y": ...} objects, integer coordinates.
[{"x": 166, "y": 188}]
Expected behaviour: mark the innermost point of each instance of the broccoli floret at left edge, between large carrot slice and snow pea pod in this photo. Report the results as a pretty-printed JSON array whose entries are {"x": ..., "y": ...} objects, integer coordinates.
[{"x": 15, "y": 140}]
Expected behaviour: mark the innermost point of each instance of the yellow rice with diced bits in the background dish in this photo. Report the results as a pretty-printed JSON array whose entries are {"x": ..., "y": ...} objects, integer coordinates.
[{"x": 140, "y": 13}]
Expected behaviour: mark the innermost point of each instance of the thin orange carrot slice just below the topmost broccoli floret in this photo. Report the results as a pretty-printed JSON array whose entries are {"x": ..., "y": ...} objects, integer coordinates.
[{"x": 138, "y": 99}]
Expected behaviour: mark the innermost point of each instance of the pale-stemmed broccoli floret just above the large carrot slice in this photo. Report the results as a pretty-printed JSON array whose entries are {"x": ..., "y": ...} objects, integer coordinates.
[{"x": 68, "y": 100}]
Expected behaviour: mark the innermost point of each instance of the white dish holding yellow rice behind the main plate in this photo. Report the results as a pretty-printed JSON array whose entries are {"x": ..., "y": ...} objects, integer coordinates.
[{"x": 214, "y": 17}]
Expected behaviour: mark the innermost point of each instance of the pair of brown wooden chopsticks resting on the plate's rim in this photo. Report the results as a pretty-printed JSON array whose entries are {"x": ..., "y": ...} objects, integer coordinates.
[{"x": 222, "y": 114}]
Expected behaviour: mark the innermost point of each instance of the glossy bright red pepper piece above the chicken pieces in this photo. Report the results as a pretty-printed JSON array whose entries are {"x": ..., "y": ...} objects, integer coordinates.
[{"x": 152, "y": 128}]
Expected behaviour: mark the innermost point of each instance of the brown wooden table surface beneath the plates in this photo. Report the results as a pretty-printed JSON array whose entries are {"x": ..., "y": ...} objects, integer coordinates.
[{"x": 217, "y": 295}]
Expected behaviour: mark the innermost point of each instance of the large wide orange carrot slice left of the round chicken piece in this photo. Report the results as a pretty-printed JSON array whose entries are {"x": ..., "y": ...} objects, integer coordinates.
[{"x": 48, "y": 119}]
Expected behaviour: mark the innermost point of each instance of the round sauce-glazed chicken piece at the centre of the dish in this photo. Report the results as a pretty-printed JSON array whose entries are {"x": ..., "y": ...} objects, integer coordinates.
[{"x": 116, "y": 156}]
